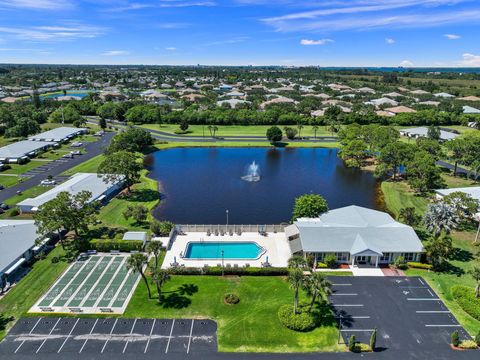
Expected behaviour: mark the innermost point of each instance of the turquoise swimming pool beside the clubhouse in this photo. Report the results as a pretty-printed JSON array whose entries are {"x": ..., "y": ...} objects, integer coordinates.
[{"x": 231, "y": 250}]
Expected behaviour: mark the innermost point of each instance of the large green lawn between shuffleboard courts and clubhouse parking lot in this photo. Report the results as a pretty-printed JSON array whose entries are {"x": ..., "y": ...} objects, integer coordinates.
[{"x": 250, "y": 326}]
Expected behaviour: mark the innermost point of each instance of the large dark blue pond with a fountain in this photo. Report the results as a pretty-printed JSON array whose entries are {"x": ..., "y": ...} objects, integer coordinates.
[{"x": 199, "y": 185}]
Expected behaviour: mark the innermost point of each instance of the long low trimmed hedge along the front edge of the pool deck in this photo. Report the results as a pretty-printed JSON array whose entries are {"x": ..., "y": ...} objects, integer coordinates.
[{"x": 217, "y": 271}]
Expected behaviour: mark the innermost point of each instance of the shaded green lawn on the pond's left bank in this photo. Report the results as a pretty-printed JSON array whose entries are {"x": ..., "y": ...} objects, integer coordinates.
[{"x": 145, "y": 193}]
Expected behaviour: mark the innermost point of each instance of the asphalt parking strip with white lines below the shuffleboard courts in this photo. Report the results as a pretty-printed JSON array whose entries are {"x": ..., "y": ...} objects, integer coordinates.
[{"x": 90, "y": 337}]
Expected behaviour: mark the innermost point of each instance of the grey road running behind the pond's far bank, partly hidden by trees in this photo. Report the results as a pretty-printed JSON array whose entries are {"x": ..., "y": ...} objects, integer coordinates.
[{"x": 161, "y": 135}]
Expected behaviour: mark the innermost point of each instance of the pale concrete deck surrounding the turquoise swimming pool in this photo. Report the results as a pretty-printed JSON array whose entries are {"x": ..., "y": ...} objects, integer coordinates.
[{"x": 275, "y": 244}]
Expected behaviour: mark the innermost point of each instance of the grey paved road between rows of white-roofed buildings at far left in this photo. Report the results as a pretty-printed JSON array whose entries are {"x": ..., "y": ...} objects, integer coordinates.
[{"x": 56, "y": 168}]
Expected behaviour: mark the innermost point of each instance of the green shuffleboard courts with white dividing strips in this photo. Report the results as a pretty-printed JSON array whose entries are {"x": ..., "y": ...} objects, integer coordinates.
[{"x": 99, "y": 284}]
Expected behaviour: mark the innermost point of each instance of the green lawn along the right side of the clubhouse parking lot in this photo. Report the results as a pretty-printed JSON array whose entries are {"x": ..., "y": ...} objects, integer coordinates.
[{"x": 461, "y": 262}]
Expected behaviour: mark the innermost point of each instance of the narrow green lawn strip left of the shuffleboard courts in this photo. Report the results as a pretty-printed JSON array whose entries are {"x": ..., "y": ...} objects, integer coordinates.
[{"x": 22, "y": 297}]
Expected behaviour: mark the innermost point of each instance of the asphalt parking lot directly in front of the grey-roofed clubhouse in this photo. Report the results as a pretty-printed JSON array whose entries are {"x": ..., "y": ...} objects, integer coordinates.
[{"x": 406, "y": 312}]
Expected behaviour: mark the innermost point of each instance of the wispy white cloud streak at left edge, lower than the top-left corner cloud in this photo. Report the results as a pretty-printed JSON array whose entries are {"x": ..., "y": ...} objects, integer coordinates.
[{"x": 53, "y": 33}]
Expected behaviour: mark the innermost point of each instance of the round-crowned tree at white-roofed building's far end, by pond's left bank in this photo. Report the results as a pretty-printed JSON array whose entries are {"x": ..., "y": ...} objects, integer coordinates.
[{"x": 121, "y": 166}]
